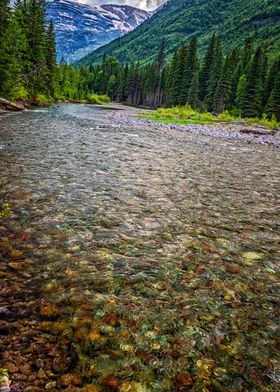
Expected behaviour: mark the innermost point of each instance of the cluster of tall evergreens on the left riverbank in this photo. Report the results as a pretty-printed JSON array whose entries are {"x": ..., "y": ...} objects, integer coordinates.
[{"x": 27, "y": 52}]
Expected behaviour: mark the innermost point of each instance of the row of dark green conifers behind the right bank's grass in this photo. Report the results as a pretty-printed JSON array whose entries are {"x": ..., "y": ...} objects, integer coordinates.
[{"x": 244, "y": 81}]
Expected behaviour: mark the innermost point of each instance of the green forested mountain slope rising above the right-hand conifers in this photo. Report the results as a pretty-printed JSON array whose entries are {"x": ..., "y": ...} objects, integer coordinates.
[{"x": 179, "y": 20}]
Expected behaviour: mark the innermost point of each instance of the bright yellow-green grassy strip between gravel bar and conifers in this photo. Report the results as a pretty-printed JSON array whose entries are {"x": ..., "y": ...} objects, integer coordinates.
[{"x": 187, "y": 115}]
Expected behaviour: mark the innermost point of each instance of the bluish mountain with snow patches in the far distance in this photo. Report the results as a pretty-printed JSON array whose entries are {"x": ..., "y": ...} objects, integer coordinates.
[{"x": 81, "y": 28}]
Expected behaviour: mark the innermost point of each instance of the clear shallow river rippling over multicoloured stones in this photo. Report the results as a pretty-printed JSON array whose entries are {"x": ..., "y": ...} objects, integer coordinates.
[{"x": 155, "y": 252}]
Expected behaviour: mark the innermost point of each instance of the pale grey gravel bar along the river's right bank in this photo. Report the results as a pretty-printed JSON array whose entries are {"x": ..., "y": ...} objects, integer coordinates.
[{"x": 234, "y": 132}]
